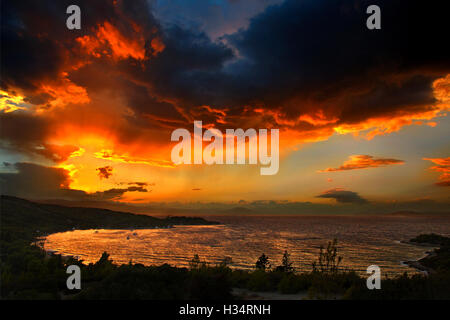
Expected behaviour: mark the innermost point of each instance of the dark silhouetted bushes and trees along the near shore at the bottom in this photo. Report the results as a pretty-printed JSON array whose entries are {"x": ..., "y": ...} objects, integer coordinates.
[{"x": 28, "y": 274}]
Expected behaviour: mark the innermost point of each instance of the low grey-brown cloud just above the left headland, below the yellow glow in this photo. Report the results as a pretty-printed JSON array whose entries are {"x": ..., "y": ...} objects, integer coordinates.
[{"x": 40, "y": 182}]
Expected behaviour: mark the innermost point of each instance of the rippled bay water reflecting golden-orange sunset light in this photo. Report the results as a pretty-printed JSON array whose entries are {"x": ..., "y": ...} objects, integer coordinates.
[{"x": 362, "y": 241}]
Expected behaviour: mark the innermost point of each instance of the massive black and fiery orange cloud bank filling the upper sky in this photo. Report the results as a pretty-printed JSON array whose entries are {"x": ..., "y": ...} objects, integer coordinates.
[{"x": 116, "y": 89}]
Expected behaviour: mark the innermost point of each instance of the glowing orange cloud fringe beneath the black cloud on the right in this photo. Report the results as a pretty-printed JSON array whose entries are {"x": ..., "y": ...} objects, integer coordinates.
[{"x": 318, "y": 123}]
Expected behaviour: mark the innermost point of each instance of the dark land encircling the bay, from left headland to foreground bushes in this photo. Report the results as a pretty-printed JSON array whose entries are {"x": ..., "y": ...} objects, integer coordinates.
[{"x": 27, "y": 272}]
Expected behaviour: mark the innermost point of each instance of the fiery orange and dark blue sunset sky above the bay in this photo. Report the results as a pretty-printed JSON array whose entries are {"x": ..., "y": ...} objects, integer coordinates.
[{"x": 86, "y": 115}]
